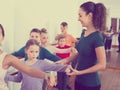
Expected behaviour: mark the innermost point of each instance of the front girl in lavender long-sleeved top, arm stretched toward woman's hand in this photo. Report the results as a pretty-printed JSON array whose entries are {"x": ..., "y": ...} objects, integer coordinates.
[{"x": 30, "y": 83}]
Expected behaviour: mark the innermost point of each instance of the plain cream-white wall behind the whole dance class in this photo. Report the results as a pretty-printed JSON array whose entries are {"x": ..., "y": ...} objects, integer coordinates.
[{"x": 20, "y": 16}]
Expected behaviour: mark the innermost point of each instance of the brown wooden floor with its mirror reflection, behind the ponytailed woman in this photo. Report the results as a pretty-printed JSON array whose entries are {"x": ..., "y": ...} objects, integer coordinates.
[{"x": 110, "y": 77}]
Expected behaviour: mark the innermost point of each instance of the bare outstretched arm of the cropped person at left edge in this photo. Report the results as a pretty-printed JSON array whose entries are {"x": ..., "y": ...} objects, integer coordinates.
[{"x": 10, "y": 60}]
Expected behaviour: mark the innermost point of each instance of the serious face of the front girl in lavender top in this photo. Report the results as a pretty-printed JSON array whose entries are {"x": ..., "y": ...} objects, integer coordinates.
[{"x": 32, "y": 52}]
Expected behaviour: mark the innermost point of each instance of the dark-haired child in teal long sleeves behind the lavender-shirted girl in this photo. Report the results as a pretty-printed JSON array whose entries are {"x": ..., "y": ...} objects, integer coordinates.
[{"x": 35, "y": 34}]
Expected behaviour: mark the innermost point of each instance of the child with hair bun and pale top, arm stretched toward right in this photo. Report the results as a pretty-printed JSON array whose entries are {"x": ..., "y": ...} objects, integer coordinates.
[{"x": 45, "y": 43}]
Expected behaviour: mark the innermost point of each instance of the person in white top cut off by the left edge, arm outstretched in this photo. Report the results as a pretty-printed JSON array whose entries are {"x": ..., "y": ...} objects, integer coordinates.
[{"x": 7, "y": 60}]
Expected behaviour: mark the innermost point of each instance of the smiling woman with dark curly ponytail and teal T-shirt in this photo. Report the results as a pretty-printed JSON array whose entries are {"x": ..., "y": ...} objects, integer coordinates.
[{"x": 91, "y": 53}]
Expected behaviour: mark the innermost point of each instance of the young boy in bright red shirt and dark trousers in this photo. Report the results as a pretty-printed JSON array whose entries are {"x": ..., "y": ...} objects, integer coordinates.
[{"x": 62, "y": 77}]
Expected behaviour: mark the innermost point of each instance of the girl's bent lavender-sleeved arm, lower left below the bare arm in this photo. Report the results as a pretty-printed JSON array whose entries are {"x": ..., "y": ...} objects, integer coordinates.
[{"x": 15, "y": 78}]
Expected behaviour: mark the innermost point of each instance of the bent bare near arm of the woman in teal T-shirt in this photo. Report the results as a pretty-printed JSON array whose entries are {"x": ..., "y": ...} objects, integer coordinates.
[{"x": 100, "y": 52}]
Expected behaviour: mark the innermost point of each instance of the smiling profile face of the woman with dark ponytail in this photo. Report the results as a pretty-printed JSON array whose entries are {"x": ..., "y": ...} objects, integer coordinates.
[{"x": 85, "y": 19}]
